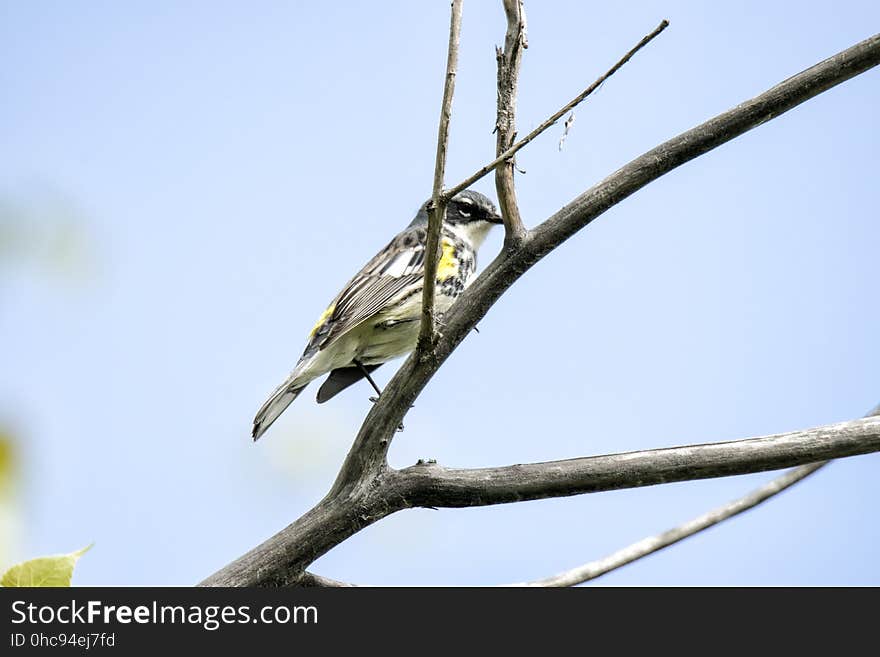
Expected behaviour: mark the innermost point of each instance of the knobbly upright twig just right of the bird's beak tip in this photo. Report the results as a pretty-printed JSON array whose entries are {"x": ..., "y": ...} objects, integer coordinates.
[{"x": 509, "y": 61}]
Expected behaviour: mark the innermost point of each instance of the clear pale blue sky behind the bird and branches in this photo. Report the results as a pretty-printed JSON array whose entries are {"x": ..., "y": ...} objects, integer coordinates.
[{"x": 221, "y": 169}]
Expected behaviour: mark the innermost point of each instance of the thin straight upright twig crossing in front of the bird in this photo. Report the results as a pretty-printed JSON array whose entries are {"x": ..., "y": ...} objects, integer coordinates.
[{"x": 437, "y": 210}]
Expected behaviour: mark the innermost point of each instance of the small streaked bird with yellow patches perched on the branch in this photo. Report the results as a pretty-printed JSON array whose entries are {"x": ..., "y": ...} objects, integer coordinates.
[{"x": 377, "y": 315}]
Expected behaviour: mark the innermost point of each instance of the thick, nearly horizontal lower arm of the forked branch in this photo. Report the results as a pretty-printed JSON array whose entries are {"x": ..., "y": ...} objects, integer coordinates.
[{"x": 431, "y": 485}]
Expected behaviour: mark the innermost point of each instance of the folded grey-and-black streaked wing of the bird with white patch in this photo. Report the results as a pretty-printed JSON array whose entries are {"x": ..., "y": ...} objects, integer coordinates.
[{"x": 393, "y": 273}]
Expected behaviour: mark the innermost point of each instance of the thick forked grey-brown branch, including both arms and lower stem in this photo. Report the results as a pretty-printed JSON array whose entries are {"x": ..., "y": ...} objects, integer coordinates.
[{"x": 366, "y": 489}]
